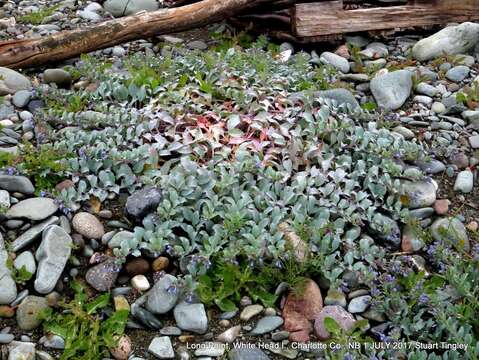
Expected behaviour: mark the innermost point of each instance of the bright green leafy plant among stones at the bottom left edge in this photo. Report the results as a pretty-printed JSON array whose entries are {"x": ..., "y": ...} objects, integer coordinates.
[{"x": 88, "y": 333}]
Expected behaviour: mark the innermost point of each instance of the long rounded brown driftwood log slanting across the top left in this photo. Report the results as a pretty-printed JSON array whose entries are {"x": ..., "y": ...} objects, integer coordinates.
[{"x": 67, "y": 44}]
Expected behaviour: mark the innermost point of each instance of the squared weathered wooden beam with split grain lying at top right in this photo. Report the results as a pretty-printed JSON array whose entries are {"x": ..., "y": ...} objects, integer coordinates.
[{"x": 320, "y": 19}]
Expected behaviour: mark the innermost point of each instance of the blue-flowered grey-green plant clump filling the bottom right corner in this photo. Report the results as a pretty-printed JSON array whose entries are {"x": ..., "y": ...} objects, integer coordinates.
[{"x": 433, "y": 305}]
